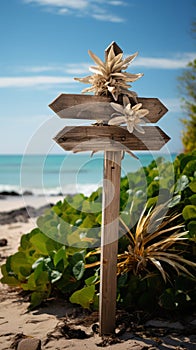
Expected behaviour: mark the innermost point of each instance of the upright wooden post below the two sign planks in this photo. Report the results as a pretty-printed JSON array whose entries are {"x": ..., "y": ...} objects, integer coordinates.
[{"x": 109, "y": 241}]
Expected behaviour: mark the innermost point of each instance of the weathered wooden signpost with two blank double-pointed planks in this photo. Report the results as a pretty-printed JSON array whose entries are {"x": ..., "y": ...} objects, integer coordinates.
[{"x": 112, "y": 140}]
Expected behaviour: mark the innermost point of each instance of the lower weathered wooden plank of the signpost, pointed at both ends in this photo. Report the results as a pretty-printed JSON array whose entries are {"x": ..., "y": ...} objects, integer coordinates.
[{"x": 97, "y": 138}]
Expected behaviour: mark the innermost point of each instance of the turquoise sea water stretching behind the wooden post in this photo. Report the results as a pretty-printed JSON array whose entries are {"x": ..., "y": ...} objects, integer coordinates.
[{"x": 68, "y": 173}]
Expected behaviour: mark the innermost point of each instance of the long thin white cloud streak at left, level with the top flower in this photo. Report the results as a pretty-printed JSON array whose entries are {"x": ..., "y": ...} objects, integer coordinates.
[{"x": 8, "y": 82}]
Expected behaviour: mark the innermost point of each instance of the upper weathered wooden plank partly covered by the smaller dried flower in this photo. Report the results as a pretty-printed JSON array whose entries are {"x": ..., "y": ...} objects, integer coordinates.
[{"x": 75, "y": 106}]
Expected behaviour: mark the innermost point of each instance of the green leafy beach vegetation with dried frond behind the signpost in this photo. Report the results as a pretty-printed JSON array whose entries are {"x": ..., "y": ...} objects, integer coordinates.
[{"x": 155, "y": 268}]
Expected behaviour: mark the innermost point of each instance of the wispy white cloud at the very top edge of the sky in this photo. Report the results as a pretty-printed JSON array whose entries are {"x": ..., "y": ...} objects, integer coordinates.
[{"x": 98, "y": 9}]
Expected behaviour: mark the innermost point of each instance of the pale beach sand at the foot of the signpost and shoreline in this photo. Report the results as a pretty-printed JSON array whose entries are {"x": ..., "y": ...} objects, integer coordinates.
[{"x": 45, "y": 322}]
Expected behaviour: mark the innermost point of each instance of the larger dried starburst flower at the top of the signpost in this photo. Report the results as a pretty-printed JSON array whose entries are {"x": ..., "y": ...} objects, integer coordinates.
[{"x": 108, "y": 77}]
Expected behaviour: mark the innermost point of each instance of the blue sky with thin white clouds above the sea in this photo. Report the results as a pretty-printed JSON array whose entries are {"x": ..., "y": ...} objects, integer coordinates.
[{"x": 44, "y": 45}]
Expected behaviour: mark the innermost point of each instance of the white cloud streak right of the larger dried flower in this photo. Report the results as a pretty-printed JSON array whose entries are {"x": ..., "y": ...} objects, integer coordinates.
[{"x": 177, "y": 62}]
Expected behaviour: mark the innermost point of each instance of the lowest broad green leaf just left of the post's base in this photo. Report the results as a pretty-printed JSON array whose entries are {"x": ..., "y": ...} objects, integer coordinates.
[{"x": 84, "y": 296}]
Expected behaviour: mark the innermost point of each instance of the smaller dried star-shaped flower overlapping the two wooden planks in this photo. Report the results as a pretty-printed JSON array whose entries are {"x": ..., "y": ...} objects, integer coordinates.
[{"x": 130, "y": 115}]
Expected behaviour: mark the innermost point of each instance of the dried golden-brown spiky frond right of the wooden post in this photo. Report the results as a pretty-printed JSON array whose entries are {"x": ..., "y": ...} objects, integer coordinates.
[{"x": 155, "y": 244}]
